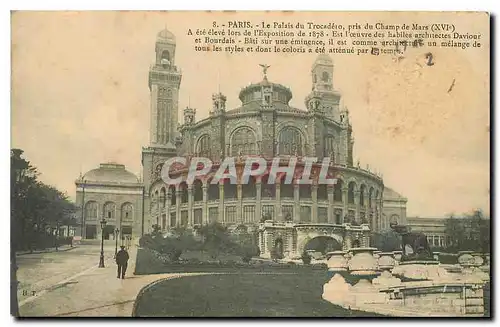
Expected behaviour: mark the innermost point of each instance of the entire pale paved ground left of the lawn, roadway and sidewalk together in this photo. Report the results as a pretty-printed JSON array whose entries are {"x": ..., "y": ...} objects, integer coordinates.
[{"x": 70, "y": 284}]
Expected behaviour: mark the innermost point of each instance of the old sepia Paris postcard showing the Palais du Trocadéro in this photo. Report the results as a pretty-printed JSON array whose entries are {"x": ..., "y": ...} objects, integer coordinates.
[{"x": 250, "y": 164}]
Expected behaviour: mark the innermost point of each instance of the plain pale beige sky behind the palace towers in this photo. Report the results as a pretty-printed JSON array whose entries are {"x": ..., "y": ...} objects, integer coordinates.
[{"x": 80, "y": 97}]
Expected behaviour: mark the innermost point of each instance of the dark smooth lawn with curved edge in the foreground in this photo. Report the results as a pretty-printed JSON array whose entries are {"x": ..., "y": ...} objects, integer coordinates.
[{"x": 241, "y": 295}]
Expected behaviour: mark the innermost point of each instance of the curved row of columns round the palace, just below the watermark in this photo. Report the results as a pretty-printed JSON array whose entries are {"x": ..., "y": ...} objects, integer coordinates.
[{"x": 168, "y": 213}]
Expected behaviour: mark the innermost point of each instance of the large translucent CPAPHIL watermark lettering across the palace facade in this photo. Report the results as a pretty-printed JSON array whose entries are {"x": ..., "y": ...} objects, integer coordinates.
[{"x": 303, "y": 171}]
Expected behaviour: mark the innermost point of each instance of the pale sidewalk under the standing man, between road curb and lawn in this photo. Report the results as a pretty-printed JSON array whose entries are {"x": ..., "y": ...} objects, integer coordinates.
[{"x": 96, "y": 292}]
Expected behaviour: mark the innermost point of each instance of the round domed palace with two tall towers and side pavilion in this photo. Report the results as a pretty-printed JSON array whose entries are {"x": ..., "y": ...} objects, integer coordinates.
[{"x": 265, "y": 125}]
